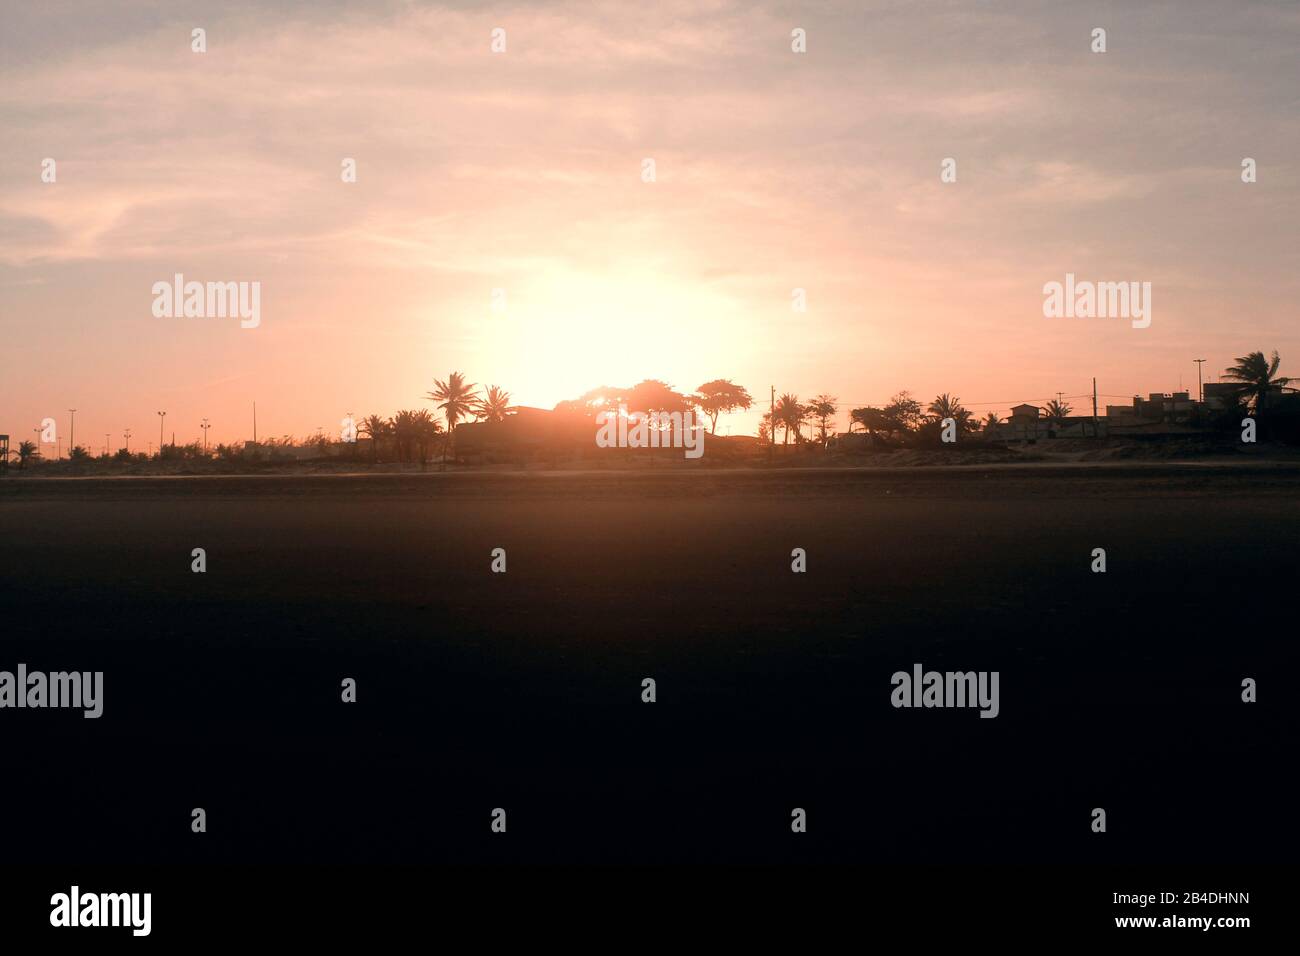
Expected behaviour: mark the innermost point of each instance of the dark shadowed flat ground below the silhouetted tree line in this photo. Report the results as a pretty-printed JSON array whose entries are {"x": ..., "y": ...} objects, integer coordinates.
[{"x": 523, "y": 690}]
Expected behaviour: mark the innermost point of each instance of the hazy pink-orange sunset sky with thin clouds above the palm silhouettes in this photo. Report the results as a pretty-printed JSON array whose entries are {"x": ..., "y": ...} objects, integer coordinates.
[{"x": 501, "y": 223}]
